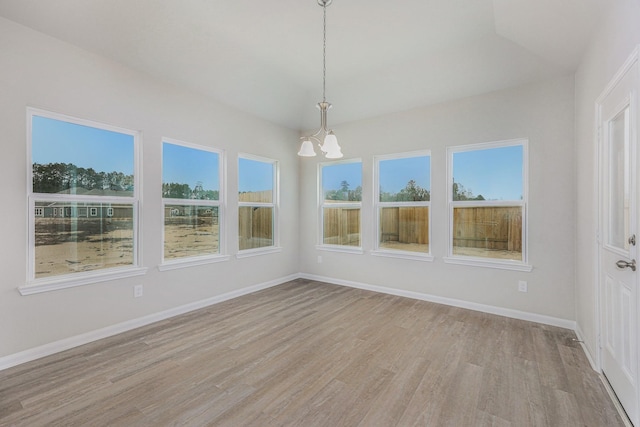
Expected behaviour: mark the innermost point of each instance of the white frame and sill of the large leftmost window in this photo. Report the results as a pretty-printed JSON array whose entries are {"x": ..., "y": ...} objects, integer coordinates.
[{"x": 51, "y": 283}]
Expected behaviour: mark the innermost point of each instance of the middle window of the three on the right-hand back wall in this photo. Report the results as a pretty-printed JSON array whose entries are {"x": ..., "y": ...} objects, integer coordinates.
[{"x": 403, "y": 200}]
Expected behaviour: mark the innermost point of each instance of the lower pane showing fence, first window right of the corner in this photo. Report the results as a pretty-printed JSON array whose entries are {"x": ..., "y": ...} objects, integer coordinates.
[{"x": 341, "y": 226}]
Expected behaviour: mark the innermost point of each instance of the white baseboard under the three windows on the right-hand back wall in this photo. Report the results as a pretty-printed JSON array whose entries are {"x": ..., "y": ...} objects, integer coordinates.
[{"x": 506, "y": 312}]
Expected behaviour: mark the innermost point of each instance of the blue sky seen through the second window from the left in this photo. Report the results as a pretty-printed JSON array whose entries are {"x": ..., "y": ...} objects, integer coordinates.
[{"x": 186, "y": 165}]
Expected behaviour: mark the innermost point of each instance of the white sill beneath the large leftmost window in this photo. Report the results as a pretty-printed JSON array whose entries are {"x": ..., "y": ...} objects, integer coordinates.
[{"x": 70, "y": 281}]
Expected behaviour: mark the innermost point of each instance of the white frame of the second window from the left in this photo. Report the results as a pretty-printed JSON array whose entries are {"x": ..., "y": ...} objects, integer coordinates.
[{"x": 188, "y": 261}]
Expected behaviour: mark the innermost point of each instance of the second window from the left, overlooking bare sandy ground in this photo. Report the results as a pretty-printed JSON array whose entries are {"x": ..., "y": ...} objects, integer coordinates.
[{"x": 191, "y": 200}]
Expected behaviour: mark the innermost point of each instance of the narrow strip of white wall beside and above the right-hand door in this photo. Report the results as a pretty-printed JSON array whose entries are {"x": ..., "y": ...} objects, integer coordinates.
[{"x": 612, "y": 45}]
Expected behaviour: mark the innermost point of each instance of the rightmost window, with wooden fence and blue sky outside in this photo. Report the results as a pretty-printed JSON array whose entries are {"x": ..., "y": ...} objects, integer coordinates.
[{"x": 487, "y": 204}]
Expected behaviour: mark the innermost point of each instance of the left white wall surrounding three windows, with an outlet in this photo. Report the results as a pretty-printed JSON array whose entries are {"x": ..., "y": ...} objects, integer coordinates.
[{"x": 41, "y": 72}]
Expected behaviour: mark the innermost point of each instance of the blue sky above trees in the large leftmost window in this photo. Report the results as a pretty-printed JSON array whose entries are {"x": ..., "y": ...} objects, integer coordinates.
[{"x": 55, "y": 141}]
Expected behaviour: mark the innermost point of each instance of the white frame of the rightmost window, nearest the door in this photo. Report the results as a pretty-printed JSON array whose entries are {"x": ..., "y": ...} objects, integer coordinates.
[{"x": 522, "y": 265}]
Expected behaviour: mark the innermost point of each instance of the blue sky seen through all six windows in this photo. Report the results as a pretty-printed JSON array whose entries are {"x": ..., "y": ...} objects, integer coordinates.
[{"x": 495, "y": 173}]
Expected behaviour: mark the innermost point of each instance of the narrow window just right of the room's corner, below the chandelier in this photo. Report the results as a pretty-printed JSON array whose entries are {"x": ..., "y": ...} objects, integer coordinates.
[{"x": 340, "y": 204}]
